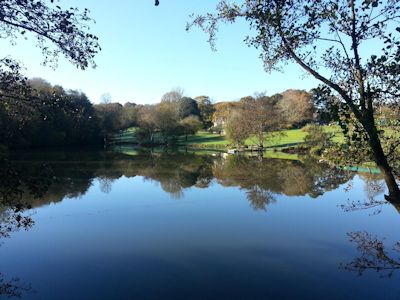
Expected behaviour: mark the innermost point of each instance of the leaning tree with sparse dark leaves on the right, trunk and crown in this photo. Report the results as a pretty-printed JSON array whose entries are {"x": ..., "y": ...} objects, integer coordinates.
[{"x": 326, "y": 39}]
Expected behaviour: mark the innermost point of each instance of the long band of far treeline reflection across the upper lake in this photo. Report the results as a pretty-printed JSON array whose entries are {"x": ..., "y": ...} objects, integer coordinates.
[{"x": 73, "y": 174}]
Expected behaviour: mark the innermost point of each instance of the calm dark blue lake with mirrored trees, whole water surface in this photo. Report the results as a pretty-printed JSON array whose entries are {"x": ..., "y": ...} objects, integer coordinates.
[{"x": 184, "y": 226}]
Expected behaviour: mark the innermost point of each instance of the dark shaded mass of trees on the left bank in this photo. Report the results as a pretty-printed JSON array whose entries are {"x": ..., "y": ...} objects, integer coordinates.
[{"x": 51, "y": 116}]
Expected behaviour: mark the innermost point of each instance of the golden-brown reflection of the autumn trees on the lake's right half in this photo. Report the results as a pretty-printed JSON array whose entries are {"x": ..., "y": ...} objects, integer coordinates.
[{"x": 291, "y": 178}]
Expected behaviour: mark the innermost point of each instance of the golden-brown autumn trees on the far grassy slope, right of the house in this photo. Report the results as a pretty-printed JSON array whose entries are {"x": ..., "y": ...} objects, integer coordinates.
[{"x": 260, "y": 115}]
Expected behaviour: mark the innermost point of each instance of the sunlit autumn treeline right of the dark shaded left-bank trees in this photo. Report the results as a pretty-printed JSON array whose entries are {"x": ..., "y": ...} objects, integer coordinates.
[{"x": 255, "y": 117}]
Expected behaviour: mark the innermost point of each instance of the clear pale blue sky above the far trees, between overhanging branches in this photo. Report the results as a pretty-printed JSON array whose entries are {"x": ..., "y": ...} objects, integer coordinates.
[{"x": 147, "y": 52}]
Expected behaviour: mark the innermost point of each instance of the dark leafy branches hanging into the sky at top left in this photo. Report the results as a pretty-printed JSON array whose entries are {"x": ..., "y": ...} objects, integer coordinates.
[{"x": 65, "y": 30}]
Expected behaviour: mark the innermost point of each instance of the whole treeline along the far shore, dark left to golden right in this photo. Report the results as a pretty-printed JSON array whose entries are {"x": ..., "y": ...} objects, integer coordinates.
[{"x": 37, "y": 114}]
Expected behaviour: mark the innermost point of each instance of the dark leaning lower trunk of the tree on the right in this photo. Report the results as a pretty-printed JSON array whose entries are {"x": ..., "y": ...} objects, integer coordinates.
[{"x": 382, "y": 163}]
